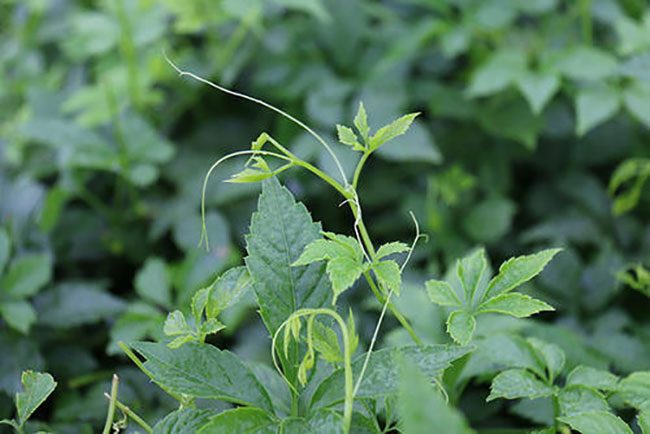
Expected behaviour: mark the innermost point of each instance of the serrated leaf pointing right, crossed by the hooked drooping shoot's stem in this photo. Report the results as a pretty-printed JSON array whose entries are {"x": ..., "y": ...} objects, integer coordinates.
[{"x": 382, "y": 373}]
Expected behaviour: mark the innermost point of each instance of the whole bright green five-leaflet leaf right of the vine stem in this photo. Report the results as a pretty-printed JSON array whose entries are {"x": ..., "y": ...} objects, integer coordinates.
[{"x": 475, "y": 296}]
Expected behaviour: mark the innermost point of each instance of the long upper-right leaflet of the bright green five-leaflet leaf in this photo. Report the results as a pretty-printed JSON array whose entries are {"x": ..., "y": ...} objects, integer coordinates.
[{"x": 519, "y": 270}]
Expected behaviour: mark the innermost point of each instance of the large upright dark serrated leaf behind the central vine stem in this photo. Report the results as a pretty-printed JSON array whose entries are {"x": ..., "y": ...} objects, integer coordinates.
[{"x": 280, "y": 231}]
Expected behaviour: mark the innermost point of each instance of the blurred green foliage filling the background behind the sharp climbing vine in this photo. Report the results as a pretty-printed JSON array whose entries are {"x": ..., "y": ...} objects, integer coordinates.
[{"x": 528, "y": 108}]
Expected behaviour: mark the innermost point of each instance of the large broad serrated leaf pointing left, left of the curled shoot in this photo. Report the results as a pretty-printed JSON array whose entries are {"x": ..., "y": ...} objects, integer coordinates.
[{"x": 203, "y": 371}]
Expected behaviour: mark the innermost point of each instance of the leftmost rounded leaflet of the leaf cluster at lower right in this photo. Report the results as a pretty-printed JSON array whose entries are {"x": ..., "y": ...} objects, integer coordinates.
[{"x": 518, "y": 383}]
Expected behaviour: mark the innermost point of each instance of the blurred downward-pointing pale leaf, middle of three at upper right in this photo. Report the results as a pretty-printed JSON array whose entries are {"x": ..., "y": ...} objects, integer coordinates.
[{"x": 595, "y": 105}]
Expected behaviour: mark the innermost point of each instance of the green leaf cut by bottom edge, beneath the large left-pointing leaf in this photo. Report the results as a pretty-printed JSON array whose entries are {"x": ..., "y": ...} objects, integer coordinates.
[{"x": 241, "y": 420}]
